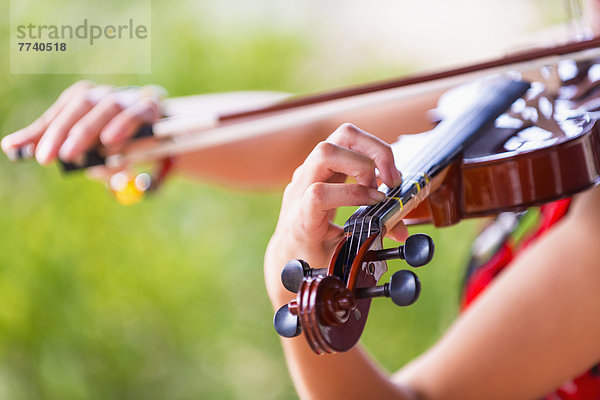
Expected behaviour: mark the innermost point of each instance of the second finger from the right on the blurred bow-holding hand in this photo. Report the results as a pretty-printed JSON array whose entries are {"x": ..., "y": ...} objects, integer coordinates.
[{"x": 84, "y": 134}]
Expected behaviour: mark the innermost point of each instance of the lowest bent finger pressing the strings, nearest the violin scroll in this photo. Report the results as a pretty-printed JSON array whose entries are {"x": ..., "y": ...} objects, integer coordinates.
[{"x": 320, "y": 198}]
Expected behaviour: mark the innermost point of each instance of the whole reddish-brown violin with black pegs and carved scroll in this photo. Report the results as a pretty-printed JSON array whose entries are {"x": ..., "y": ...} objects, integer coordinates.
[{"x": 513, "y": 145}]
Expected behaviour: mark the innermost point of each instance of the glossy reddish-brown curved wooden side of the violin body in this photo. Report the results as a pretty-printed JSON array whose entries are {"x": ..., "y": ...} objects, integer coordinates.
[{"x": 489, "y": 180}]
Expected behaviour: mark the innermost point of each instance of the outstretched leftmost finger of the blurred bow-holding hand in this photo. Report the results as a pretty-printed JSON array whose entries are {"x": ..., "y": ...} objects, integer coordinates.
[{"x": 33, "y": 132}]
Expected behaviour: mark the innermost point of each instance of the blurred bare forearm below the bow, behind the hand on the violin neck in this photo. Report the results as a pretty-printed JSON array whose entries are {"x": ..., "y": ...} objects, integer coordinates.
[{"x": 268, "y": 160}]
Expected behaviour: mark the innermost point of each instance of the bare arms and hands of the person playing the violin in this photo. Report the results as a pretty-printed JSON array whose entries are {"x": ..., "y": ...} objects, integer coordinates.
[{"x": 536, "y": 327}]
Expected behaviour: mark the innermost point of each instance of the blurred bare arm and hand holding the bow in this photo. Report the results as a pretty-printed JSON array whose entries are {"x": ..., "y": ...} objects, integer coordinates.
[{"x": 86, "y": 114}]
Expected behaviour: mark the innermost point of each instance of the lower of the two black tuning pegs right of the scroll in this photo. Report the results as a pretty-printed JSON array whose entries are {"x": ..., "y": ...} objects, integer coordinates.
[{"x": 404, "y": 289}]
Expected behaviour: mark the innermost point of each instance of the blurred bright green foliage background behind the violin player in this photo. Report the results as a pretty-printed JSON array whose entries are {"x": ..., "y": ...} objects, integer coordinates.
[{"x": 165, "y": 299}]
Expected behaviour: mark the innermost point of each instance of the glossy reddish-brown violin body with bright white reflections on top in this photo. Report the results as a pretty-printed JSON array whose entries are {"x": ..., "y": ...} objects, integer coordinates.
[{"x": 545, "y": 148}]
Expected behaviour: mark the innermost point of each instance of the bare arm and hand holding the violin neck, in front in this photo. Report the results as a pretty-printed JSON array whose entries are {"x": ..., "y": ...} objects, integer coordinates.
[{"x": 536, "y": 327}]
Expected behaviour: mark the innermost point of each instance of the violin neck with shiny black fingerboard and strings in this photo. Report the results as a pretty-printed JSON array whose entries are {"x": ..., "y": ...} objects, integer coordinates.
[{"x": 447, "y": 141}]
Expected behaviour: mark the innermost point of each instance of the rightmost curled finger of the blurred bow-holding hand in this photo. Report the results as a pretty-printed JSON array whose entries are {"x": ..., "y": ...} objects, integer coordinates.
[{"x": 126, "y": 123}]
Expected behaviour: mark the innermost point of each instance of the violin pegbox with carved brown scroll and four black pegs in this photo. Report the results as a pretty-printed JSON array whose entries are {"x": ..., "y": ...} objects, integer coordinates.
[{"x": 332, "y": 304}]
